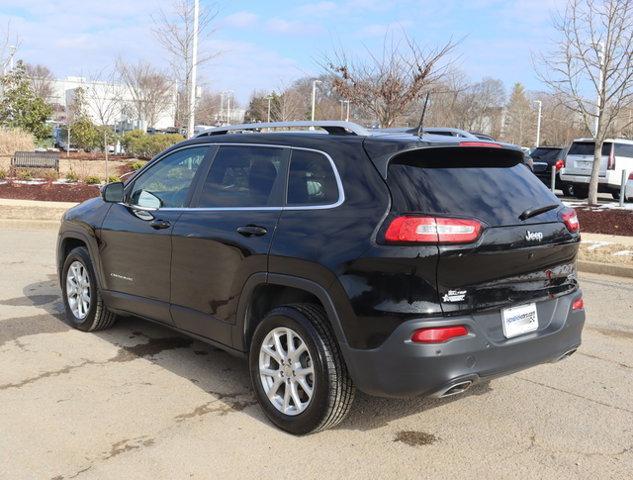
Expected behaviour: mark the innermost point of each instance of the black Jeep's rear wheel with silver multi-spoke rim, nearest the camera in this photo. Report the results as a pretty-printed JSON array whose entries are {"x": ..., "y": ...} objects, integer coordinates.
[{"x": 331, "y": 391}]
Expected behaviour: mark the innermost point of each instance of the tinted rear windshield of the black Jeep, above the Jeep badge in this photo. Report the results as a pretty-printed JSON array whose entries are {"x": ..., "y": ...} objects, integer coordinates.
[{"x": 496, "y": 195}]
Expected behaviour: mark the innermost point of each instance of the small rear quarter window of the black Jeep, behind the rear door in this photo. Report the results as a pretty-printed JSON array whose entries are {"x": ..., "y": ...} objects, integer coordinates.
[{"x": 311, "y": 180}]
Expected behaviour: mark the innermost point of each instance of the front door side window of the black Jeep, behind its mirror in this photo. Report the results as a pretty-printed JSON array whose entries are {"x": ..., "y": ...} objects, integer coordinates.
[{"x": 167, "y": 183}]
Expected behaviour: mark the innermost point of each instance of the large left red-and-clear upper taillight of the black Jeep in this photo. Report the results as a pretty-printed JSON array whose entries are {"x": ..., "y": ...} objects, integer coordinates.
[{"x": 432, "y": 230}]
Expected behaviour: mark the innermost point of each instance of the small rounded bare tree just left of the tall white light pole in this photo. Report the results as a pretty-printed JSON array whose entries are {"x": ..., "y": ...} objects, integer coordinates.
[{"x": 153, "y": 93}]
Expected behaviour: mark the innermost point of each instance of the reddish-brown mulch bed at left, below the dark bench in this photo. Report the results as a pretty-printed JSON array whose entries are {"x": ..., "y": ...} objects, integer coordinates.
[{"x": 54, "y": 192}]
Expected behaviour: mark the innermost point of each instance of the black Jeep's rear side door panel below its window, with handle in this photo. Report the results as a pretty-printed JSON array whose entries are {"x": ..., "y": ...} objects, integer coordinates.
[{"x": 212, "y": 261}]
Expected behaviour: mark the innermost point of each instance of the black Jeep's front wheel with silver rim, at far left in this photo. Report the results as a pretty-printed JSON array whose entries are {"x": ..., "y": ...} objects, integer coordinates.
[{"x": 82, "y": 300}]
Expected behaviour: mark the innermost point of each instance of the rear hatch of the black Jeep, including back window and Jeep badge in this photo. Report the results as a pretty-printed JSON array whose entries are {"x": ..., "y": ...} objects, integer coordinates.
[{"x": 516, "y": 258}]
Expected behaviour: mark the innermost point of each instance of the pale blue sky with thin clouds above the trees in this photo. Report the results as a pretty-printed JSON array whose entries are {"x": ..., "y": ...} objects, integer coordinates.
[{"x": 268, "y": 44}]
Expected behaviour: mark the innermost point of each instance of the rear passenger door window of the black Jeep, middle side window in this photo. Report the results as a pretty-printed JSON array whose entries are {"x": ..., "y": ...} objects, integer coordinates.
[{"x": 242, "y": 176}]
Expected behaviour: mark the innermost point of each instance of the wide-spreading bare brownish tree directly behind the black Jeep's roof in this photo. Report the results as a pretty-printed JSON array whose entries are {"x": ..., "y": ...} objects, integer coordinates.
[{"x": 387, "y": 84}]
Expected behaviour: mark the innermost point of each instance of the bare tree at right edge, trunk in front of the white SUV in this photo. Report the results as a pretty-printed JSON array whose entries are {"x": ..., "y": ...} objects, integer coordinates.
[{"x": 593, "y": 60}]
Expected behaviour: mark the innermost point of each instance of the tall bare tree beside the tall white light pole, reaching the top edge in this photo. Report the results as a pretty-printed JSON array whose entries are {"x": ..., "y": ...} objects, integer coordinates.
[{"x": 174, "y": 31}]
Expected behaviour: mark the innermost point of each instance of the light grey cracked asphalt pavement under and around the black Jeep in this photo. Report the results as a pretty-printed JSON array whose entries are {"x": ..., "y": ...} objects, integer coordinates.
[{"x": 140, "y": 401}]
